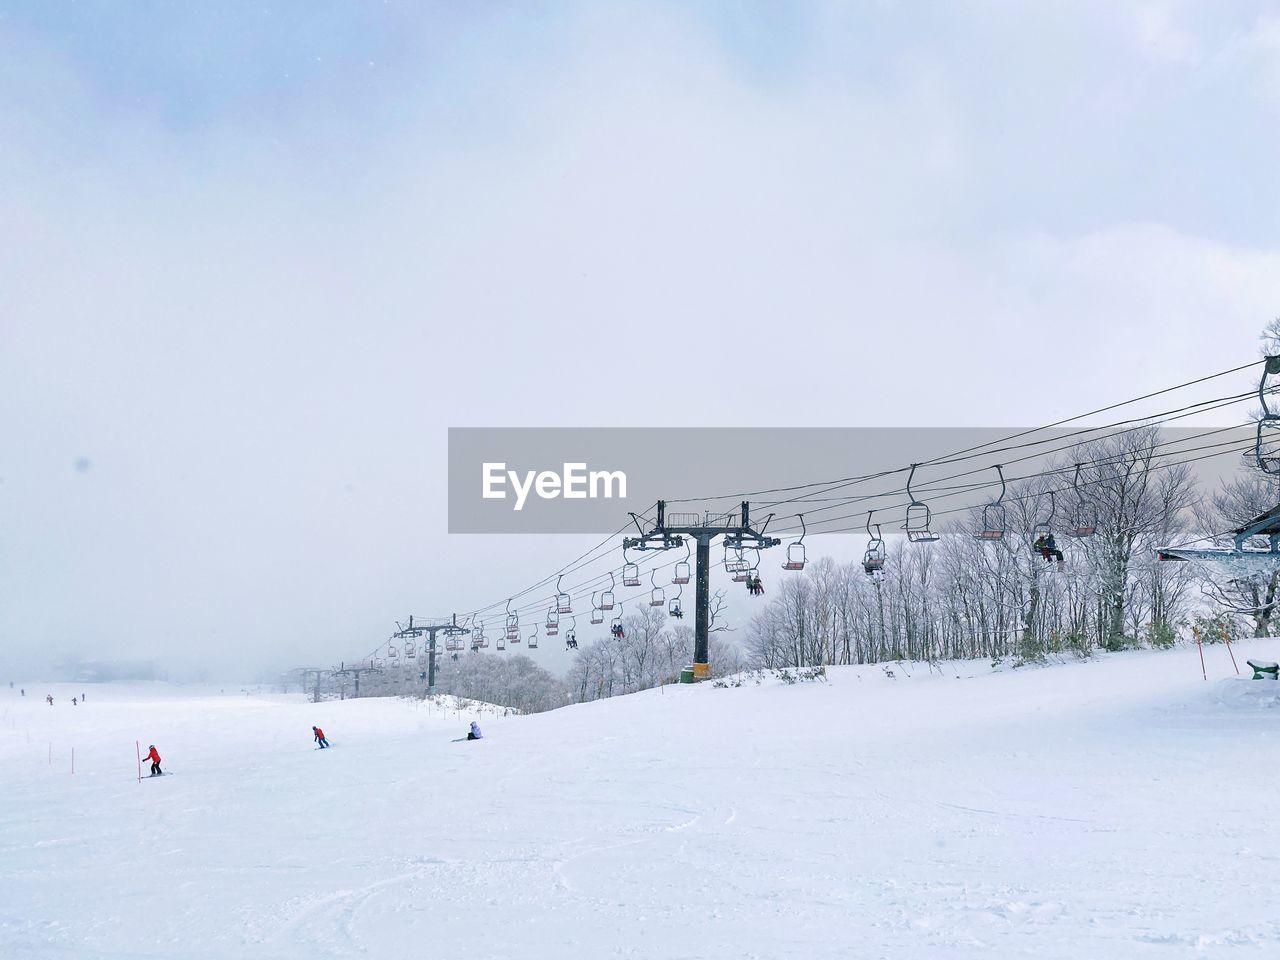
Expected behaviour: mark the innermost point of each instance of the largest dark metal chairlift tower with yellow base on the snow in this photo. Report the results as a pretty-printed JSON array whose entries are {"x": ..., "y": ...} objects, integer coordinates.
[{"x": 671, "y": 531}]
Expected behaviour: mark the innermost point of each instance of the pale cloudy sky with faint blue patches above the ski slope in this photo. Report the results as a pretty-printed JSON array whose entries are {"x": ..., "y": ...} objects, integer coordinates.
[{"x": 255, "y": 260}]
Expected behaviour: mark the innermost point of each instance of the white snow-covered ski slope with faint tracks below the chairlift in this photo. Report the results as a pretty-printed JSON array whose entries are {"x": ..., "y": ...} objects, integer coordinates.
[{"x": 1121, "y": 808}]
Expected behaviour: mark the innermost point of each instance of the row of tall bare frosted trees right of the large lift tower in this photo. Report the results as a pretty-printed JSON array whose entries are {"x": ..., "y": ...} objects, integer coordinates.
[{"x": 967, "y": 598}]
